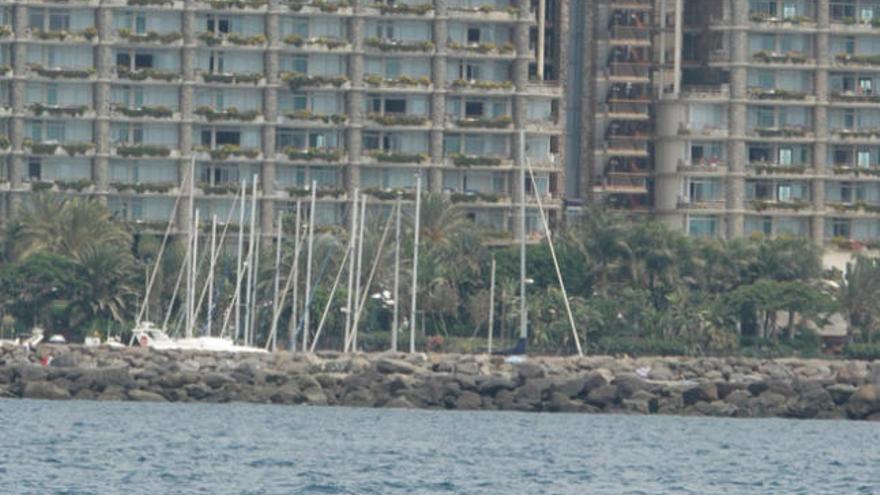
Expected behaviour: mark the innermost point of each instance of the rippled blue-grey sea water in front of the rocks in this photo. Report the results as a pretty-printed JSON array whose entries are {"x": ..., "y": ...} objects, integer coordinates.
[{"x": 137, "y": 448}]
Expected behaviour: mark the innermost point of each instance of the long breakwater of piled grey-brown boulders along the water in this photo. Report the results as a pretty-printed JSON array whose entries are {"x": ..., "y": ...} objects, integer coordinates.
[{"x": 733, "y": 387}]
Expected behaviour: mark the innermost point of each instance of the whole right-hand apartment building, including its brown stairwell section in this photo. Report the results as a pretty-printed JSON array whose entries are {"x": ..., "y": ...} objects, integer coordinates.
[{"x": 733, "y": 117}]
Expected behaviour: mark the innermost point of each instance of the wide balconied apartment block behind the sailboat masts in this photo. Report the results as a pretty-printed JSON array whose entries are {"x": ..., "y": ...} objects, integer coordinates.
[{"x": 113, "y": 98}]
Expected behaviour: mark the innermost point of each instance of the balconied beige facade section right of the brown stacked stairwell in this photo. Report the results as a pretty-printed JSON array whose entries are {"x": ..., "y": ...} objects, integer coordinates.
[{"x": 775, "y": 128}]
